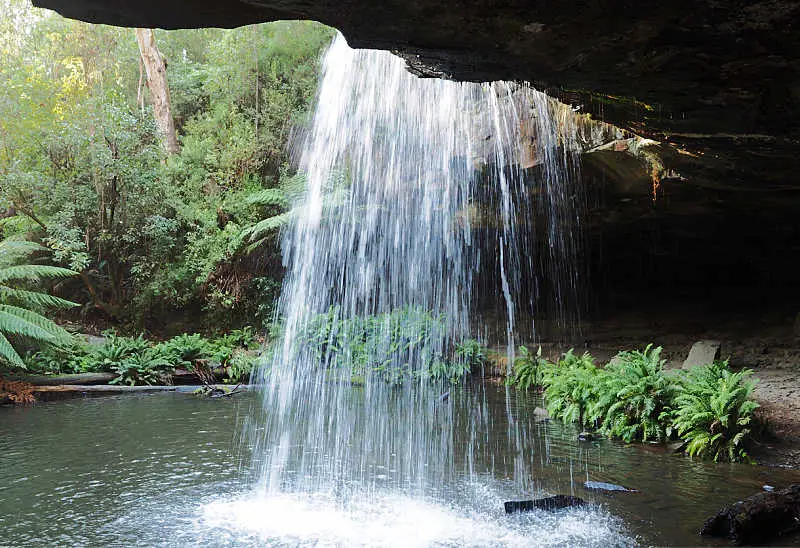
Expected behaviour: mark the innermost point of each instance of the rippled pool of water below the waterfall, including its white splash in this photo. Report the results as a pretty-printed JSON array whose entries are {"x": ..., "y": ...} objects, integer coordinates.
[{"x": 174, "y": 469}]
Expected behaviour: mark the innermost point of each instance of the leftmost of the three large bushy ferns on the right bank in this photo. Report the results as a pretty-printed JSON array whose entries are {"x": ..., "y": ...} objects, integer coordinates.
[{"x": 571, "y": 387}]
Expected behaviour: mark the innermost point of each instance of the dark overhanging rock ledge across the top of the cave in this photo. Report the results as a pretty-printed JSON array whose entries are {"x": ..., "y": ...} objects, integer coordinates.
[{"x": 672, "y": 70}]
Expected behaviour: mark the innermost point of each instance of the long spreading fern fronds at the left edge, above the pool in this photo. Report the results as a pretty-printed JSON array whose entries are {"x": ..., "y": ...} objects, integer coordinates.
[{"x": 21, "y": 302}]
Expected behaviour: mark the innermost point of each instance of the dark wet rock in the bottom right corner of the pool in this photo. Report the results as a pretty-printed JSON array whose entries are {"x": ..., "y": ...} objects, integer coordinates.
[{"x": 758, "y": 519}]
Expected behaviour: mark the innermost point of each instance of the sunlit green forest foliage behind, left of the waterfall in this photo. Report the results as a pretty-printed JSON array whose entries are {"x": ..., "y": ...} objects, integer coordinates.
[{"x": 82, "y": 168}]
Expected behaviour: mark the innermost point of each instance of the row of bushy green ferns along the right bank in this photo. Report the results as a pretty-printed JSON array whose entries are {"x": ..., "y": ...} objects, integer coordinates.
[{"x": 709, "y": 407}]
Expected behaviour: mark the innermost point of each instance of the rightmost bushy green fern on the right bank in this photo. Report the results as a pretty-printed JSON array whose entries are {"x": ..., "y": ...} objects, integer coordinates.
[{"x": 714, "y": 412}]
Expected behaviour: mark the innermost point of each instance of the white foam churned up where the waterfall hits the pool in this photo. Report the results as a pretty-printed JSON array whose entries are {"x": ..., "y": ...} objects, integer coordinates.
[{"x": 402, "y": 521}]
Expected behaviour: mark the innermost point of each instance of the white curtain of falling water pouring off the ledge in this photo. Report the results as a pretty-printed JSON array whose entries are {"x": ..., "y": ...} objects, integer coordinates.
[{"x": 384, "y": 236}]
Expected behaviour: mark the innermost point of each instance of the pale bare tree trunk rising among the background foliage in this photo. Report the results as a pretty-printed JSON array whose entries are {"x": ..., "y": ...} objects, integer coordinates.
[{"x": 156, "y": 71}]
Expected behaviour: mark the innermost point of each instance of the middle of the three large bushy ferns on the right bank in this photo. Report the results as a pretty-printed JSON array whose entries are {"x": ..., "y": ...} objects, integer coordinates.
[{"x": 639, "y": 396}]
